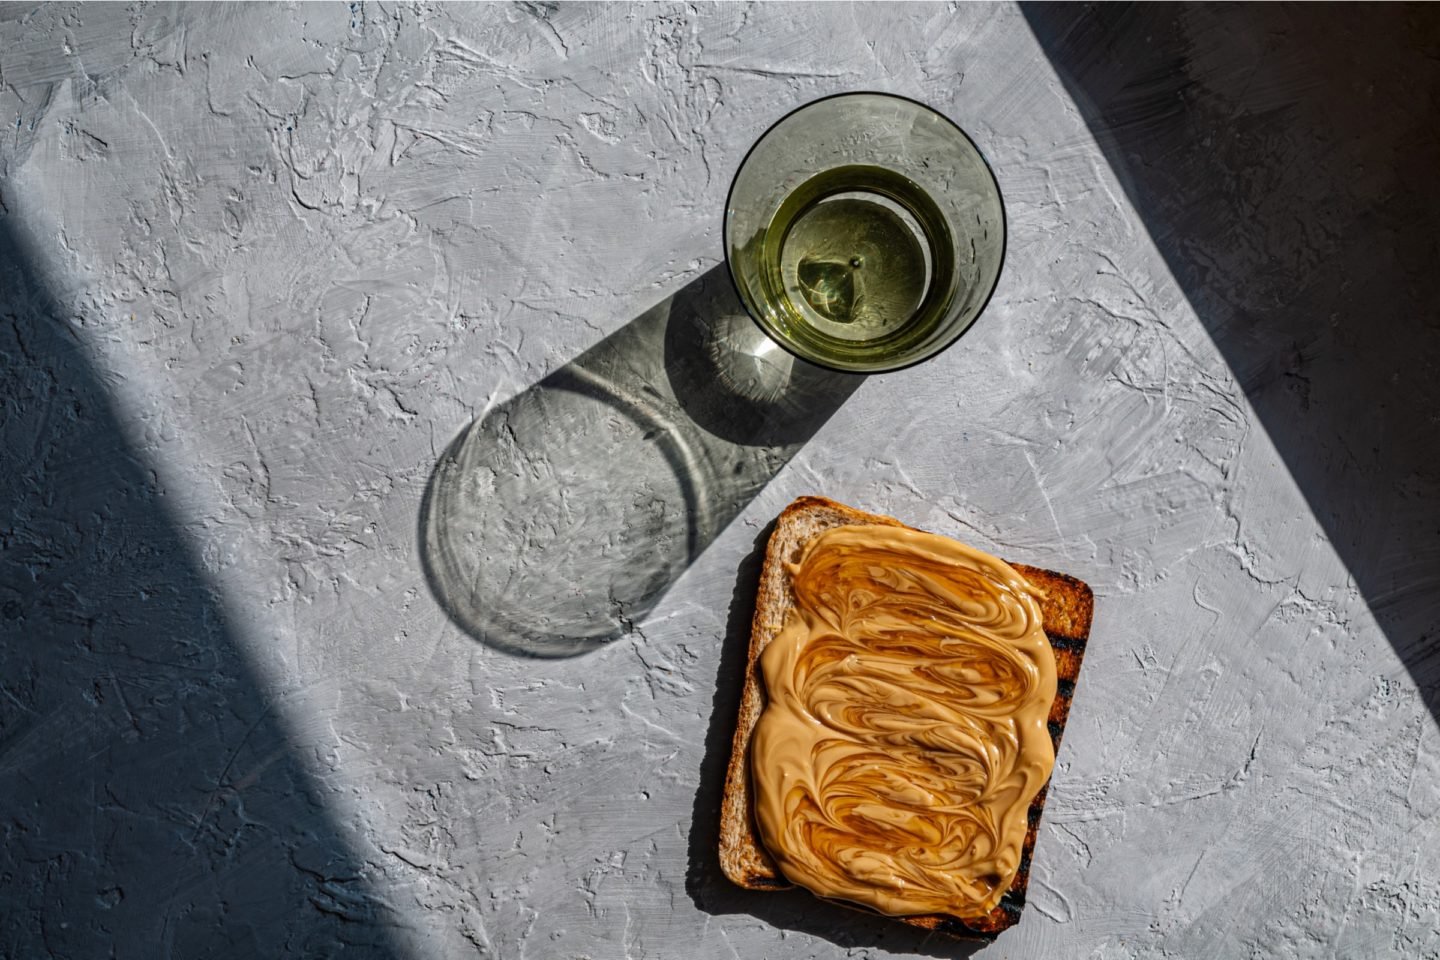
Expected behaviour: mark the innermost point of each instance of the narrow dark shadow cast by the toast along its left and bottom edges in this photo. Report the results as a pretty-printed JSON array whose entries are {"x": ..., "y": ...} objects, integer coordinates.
[{"x": 786, "y": 909}]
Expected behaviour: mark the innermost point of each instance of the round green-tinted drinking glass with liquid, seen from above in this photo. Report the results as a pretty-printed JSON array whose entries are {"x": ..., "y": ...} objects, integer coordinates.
[{"x": 865, "y": 232}]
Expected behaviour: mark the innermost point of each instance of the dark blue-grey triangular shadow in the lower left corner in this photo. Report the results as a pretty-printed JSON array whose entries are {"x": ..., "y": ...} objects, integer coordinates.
[{"x": 150, "y": 804}]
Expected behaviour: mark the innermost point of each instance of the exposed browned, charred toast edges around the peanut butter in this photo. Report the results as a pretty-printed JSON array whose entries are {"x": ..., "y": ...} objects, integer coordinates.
[{"x": 1066, "y": 607}]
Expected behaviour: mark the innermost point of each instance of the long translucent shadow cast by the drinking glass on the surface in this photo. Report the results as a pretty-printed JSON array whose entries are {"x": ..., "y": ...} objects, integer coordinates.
[{"x": 558, "y": 520}]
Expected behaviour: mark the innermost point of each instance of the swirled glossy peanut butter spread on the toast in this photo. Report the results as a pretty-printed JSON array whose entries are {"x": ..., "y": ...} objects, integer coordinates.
[{"x": 905, "y": 733}]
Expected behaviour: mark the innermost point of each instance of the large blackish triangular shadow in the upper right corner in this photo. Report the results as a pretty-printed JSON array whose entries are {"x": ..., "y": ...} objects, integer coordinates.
[{"x": 1287, "y": 163}]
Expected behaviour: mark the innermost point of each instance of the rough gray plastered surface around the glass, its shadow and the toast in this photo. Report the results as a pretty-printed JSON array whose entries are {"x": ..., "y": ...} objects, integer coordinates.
[{"x": 261, "y": 266}]
